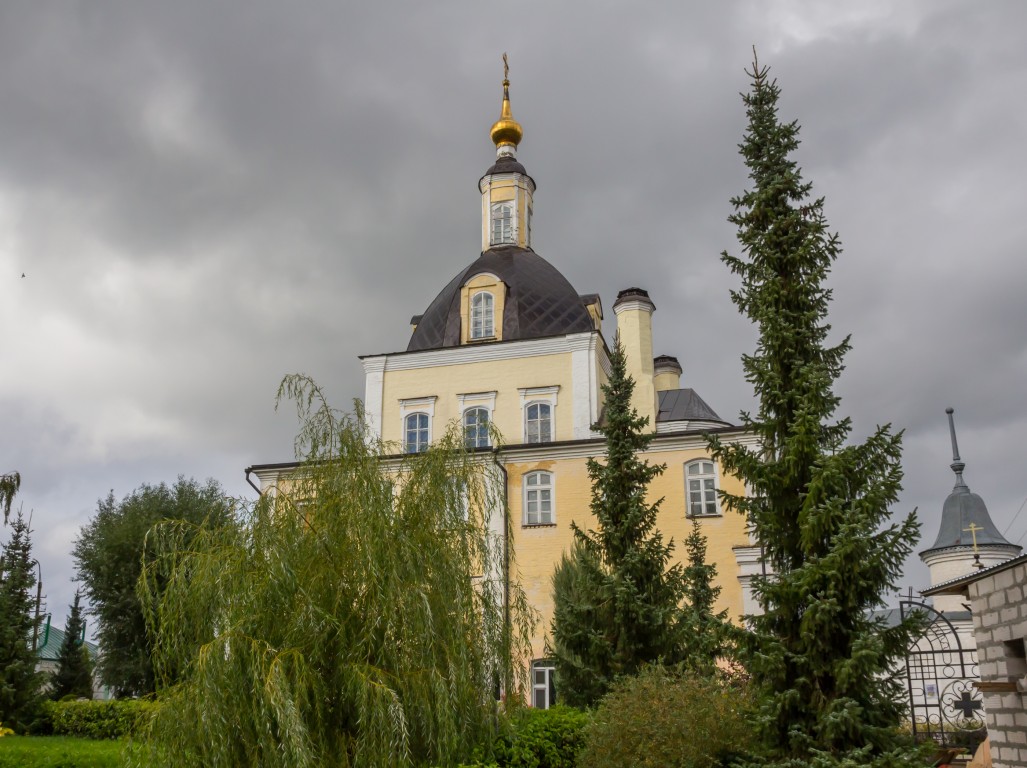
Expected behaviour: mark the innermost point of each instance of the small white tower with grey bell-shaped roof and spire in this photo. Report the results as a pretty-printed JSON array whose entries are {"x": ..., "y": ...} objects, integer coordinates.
[{"x": 968, "y": 539}]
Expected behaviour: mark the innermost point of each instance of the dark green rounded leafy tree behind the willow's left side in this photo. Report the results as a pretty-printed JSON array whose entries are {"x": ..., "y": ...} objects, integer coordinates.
[{"x": 108, "y": 555}]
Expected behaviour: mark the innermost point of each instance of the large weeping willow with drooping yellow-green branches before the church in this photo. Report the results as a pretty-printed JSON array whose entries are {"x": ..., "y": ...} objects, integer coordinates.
[{"x": 359, "y": 618}]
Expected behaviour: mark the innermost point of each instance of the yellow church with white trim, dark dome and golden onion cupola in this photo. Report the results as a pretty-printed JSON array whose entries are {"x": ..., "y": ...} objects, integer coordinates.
[{"x": 510, "y": 348}]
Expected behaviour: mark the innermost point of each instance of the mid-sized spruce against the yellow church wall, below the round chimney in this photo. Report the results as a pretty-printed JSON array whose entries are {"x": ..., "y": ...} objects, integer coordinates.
[{"x": 618, "y": 601}]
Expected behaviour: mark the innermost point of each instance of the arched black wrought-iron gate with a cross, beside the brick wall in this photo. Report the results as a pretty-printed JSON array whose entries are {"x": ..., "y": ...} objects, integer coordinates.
[{"x": 944, "y": 705}]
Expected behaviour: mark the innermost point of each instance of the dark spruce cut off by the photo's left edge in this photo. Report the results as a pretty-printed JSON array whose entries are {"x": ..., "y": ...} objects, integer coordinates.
[{"x": 19, "y": 679}]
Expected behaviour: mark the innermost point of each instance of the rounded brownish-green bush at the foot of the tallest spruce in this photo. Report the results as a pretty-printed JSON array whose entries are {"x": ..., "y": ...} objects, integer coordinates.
[{"x": 665, "y": 718}]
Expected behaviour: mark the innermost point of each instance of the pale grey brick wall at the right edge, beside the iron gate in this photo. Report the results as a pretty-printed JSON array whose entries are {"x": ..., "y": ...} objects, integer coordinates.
[{"x": 1001, "y": 626}]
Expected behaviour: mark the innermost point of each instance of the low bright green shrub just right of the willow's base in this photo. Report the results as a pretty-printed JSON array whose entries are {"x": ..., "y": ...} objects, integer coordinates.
[{"x": 543, "y": 739}]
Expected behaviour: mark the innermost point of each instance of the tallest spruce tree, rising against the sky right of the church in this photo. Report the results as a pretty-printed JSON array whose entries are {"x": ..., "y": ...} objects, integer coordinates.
[{"x": 819, "y": 507}]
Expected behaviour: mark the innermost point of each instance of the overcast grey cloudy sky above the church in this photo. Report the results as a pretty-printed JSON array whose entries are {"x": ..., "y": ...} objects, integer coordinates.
[{"x": 204, "y": 198}]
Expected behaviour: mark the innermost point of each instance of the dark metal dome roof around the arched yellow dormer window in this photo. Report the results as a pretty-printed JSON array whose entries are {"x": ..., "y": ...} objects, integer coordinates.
[{"x": 540, "y": 301}]
